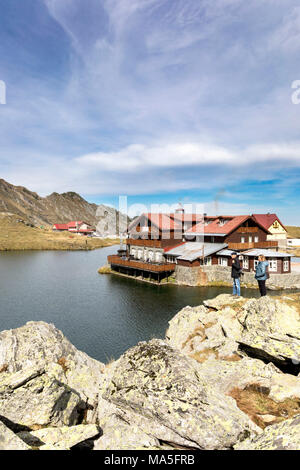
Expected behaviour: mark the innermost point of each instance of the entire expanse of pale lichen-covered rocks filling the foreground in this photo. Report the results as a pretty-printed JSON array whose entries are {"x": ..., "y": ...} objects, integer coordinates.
[{"x": 227, "y": 376}]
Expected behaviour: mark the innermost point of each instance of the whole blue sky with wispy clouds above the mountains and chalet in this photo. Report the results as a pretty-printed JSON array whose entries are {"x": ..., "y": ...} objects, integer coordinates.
[{"x": 159, "y": 100}]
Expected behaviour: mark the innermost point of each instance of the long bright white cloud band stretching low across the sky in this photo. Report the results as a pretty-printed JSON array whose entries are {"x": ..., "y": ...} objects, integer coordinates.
[{"x": 139, "y": 157}]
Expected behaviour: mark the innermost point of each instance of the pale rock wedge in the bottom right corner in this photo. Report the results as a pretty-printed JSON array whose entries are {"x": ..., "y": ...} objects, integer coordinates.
[{"x": 282, "y": 436}]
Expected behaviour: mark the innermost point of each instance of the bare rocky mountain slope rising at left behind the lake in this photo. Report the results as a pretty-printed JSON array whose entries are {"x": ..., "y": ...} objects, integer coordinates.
[{"x": 56, "y": 208}]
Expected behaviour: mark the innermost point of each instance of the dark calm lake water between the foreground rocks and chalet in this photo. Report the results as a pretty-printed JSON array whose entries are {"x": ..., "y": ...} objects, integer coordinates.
[{"x": 102, "y": 315}]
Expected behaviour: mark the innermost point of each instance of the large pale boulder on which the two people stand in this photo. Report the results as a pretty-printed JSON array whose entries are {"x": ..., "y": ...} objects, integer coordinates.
[{"x": 228, "y": 328}]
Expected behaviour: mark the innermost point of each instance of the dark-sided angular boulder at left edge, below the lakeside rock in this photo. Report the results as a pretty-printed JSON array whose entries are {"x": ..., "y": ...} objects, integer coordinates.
[{"x": 31, "y": 398}]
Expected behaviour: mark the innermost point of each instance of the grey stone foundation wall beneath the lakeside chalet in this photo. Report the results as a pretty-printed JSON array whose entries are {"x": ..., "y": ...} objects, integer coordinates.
[{"x": 221, "y": 274}]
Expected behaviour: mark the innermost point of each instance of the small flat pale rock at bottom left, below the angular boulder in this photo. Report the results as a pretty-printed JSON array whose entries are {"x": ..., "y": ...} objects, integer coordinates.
[{"x": 65, "y": 436}]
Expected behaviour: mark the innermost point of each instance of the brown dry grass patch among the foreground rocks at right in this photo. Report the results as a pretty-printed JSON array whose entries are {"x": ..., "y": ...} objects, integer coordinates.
[{"x": 254, "y": 400}]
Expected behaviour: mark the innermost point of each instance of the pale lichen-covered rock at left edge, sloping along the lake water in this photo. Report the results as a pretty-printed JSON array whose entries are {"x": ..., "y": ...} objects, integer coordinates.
[{"x": 39, "y": 344}]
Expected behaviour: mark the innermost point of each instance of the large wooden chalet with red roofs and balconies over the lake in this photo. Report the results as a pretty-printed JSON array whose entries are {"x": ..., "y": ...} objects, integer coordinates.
[{"x": 156, "y": 243}]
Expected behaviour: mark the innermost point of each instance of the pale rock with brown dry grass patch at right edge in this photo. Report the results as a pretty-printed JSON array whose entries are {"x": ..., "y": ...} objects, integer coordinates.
[{"x": 261, "y": 390}]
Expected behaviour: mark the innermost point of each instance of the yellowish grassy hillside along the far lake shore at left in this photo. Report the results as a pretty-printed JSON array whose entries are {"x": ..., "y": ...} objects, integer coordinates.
[{"x": 16, "y": 235}]
